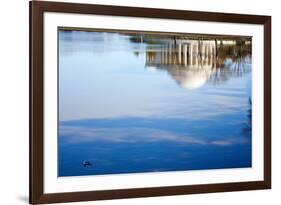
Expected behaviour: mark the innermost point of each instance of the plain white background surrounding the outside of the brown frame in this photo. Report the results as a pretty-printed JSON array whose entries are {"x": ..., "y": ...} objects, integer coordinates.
[{"x": 14, "y": 101}]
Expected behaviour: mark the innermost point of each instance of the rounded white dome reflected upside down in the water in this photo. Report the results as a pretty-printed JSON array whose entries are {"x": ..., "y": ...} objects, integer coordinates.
[{"x": 190, "y": 78}]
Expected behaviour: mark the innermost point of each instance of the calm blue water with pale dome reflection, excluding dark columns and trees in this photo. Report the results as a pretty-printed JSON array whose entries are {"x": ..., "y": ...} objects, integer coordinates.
[{"x": 124, "y": 112}]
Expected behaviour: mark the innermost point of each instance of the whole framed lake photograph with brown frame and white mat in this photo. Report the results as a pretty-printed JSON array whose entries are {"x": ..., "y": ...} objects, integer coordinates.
[{"x": 138, "y": 102}]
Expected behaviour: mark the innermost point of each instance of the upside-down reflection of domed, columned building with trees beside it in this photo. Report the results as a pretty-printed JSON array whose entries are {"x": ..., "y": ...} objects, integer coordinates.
[{"x": 192, "y": 63}]
